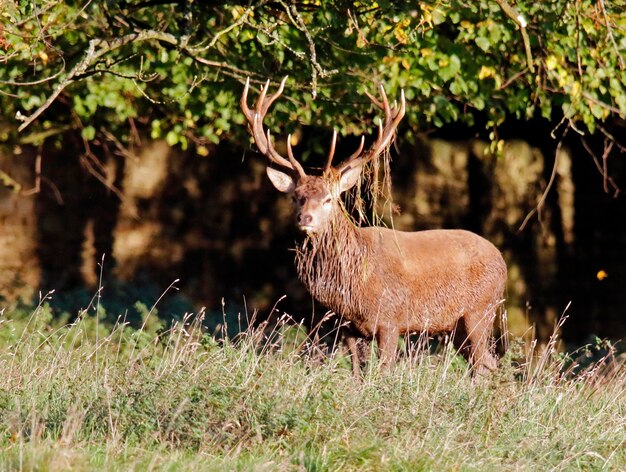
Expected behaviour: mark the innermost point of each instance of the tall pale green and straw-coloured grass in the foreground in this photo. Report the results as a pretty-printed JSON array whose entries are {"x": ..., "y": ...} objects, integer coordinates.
[{"x": 73, "y": 397}]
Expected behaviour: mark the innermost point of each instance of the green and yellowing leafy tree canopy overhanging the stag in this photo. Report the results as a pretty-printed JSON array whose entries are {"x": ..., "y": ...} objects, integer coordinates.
[{"x": 176, "y": 68}]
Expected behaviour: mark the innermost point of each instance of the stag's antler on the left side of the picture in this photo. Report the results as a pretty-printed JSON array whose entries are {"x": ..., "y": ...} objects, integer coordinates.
[{"x": 255, "y": 123}]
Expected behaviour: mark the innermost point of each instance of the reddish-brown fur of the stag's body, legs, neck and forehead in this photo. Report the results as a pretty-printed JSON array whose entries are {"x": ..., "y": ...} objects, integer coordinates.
[{"x": 387, "y": 283}]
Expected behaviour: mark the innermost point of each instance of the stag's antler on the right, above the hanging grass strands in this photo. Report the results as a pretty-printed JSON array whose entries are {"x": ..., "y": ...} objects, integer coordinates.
[{"x": 386, "y": 131}]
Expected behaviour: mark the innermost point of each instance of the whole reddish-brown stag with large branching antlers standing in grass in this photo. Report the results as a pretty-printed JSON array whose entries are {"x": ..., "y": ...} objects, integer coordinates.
[{"x": 382, "y": 282}]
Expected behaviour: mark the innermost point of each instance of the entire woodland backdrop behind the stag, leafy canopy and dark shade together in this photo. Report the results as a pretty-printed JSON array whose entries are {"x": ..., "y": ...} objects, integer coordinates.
[{"x": 125, "y": 162}]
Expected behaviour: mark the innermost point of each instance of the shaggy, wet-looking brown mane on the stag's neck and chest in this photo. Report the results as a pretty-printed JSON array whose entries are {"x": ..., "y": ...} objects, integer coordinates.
[{"x": 331, "y": 264}]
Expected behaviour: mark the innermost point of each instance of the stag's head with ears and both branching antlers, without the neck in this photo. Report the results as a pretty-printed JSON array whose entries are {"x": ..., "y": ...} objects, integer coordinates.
[{"x": 316, "y": 198}]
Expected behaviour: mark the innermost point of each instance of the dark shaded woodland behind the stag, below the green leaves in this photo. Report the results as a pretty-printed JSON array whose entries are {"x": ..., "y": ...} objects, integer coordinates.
[{"x": 215, "y": 223}]
